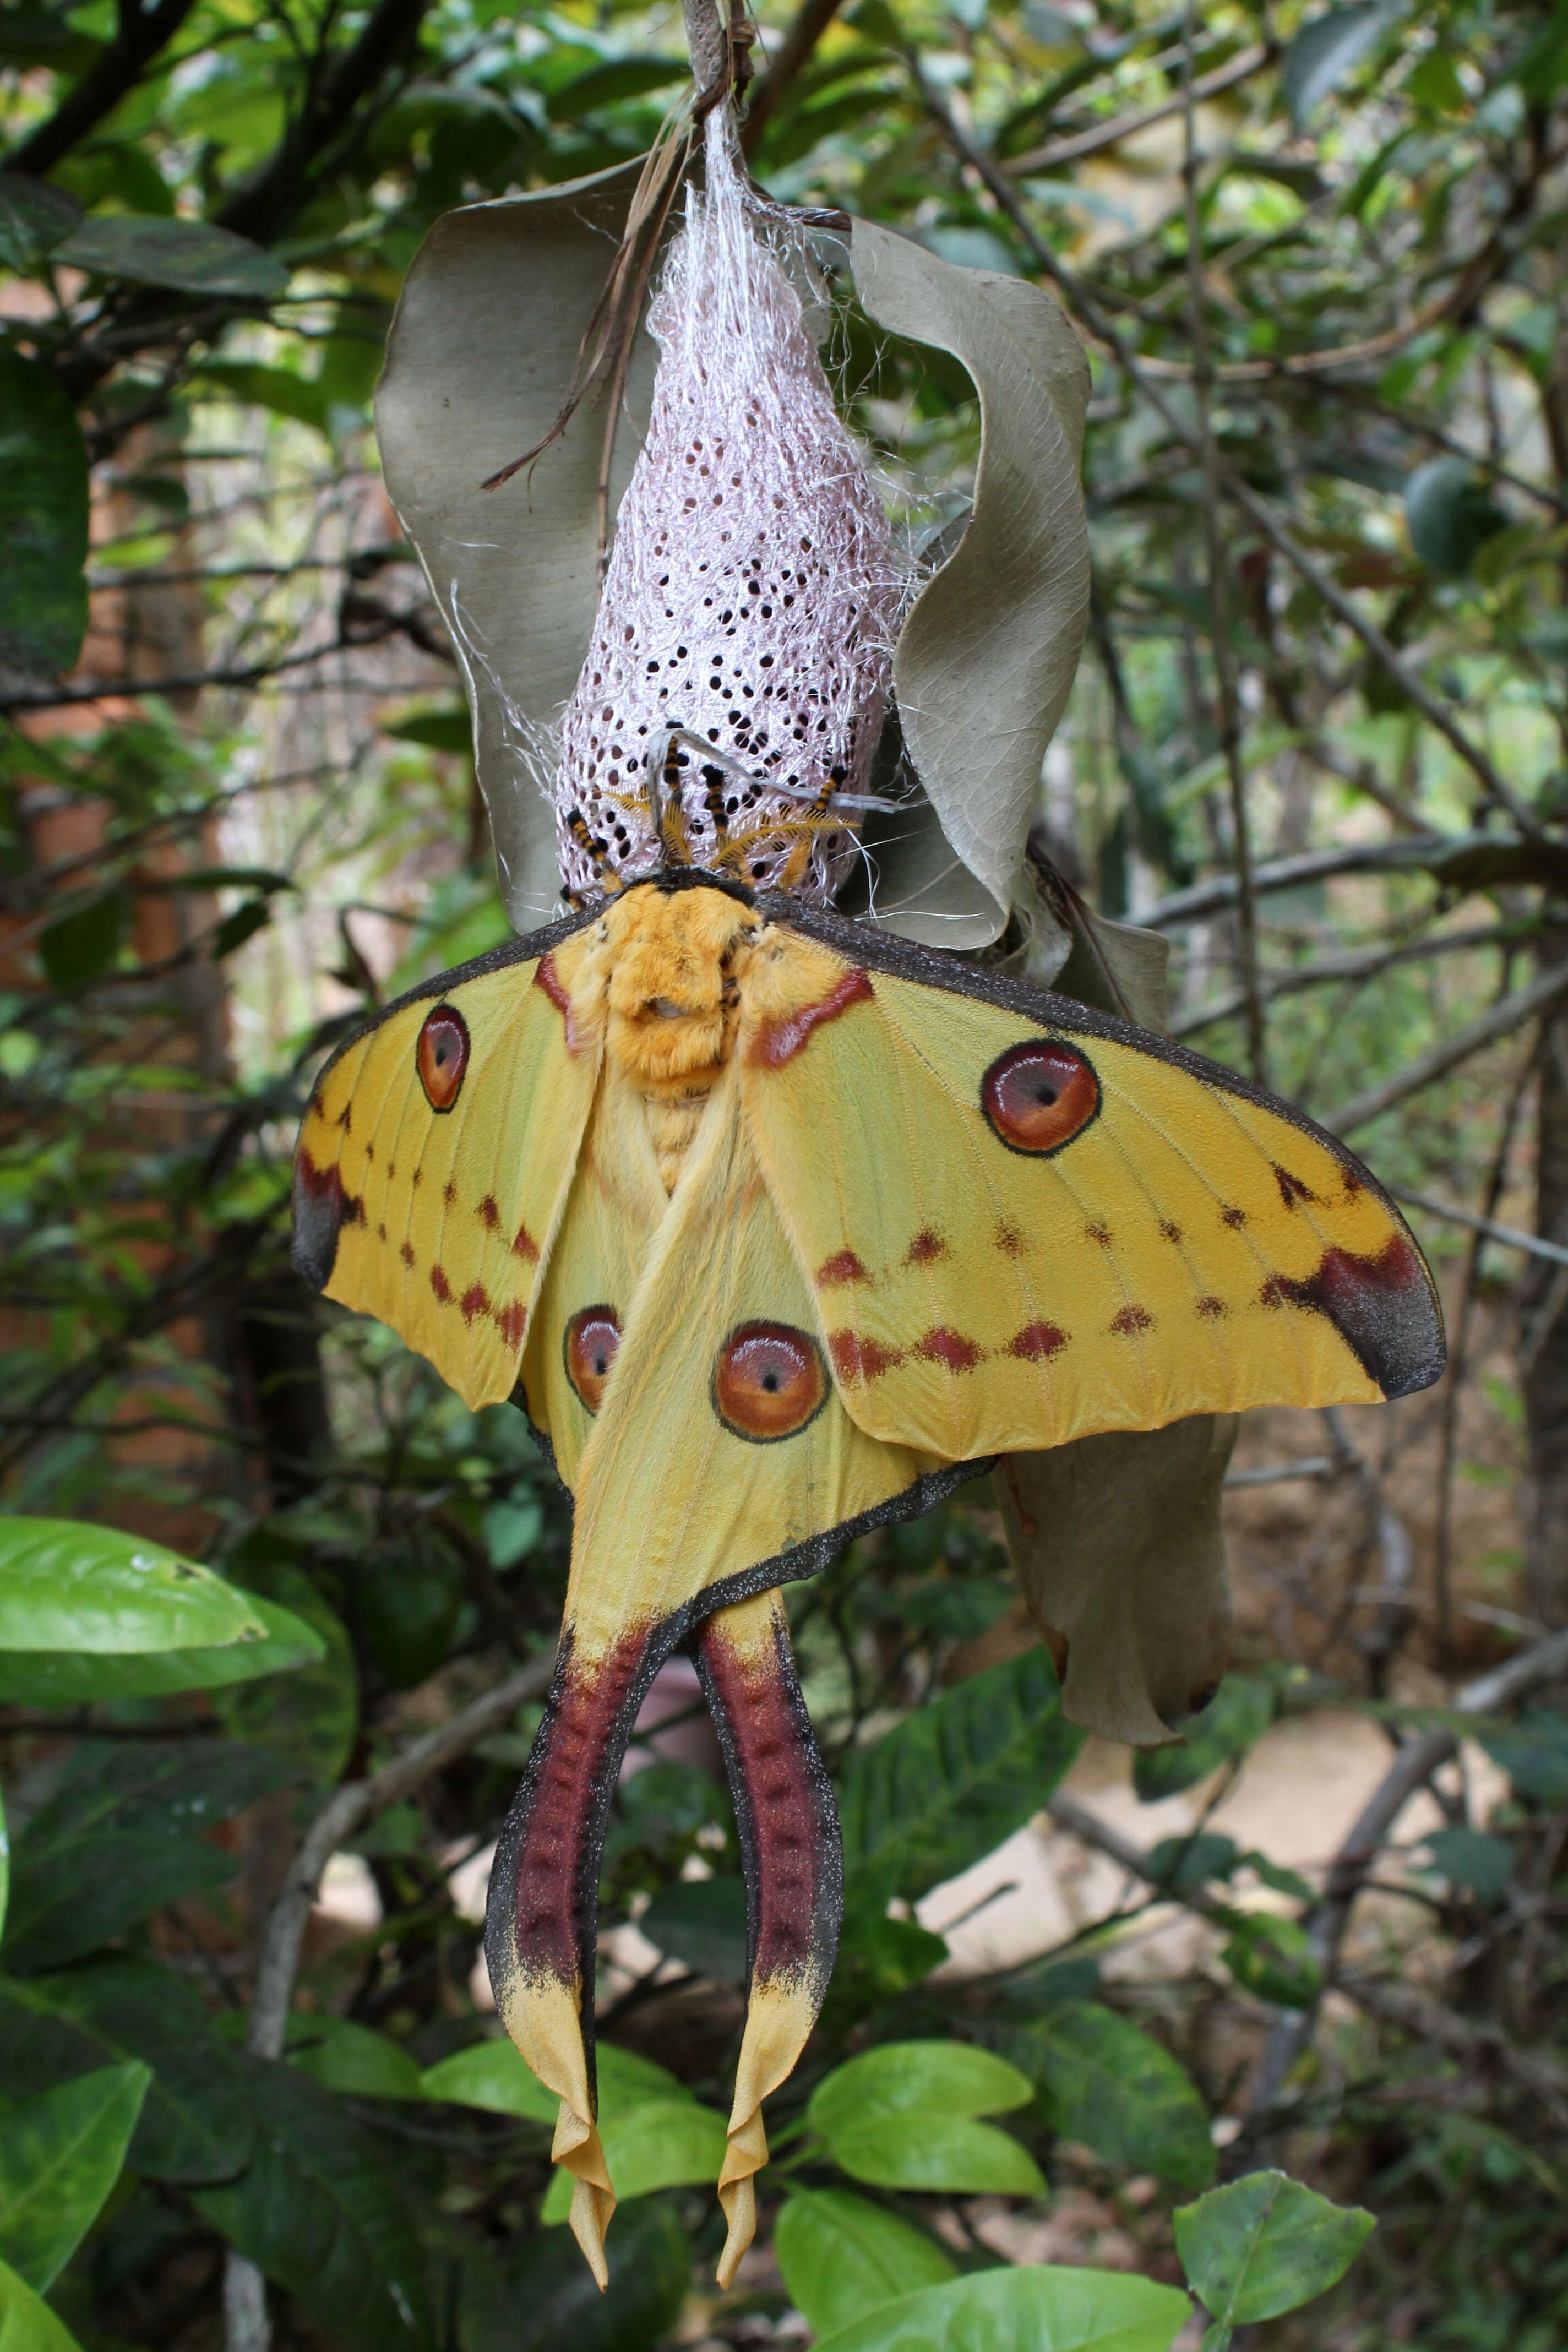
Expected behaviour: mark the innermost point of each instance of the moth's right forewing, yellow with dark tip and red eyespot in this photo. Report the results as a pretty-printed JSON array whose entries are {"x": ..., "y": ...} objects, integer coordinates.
[{"x": 1186, "y": 1245}]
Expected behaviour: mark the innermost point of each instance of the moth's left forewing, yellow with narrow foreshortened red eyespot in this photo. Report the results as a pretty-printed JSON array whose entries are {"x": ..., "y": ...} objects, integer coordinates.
[{"x": 436, "y": 1215}]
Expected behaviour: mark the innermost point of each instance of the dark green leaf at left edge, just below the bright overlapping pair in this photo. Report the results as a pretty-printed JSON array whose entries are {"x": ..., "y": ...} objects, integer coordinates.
[{"x": 121, "y": 1838}]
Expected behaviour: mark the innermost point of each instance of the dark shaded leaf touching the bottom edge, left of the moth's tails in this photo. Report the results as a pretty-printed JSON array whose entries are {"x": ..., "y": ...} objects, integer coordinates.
[{"x": 321, "y": 2214}]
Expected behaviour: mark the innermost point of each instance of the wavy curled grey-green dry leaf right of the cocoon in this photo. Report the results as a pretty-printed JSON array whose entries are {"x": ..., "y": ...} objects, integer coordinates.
[{"x": 991, "y": 646}]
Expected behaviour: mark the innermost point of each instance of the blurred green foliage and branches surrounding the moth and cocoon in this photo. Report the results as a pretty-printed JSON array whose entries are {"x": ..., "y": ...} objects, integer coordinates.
[{"x": 1320, "y": 740}]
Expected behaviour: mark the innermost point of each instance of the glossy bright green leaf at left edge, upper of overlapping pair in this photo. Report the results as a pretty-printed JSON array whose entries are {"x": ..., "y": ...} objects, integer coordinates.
[{"x": 67, "y": 1586}]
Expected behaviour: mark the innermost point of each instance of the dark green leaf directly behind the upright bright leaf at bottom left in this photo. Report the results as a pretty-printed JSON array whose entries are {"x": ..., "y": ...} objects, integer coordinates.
[{"x": 199, "y": 2116}]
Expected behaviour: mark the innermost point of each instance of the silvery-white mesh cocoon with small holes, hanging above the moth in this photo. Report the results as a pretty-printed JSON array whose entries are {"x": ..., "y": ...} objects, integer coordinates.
[{"x": 751, "y": 596}]
